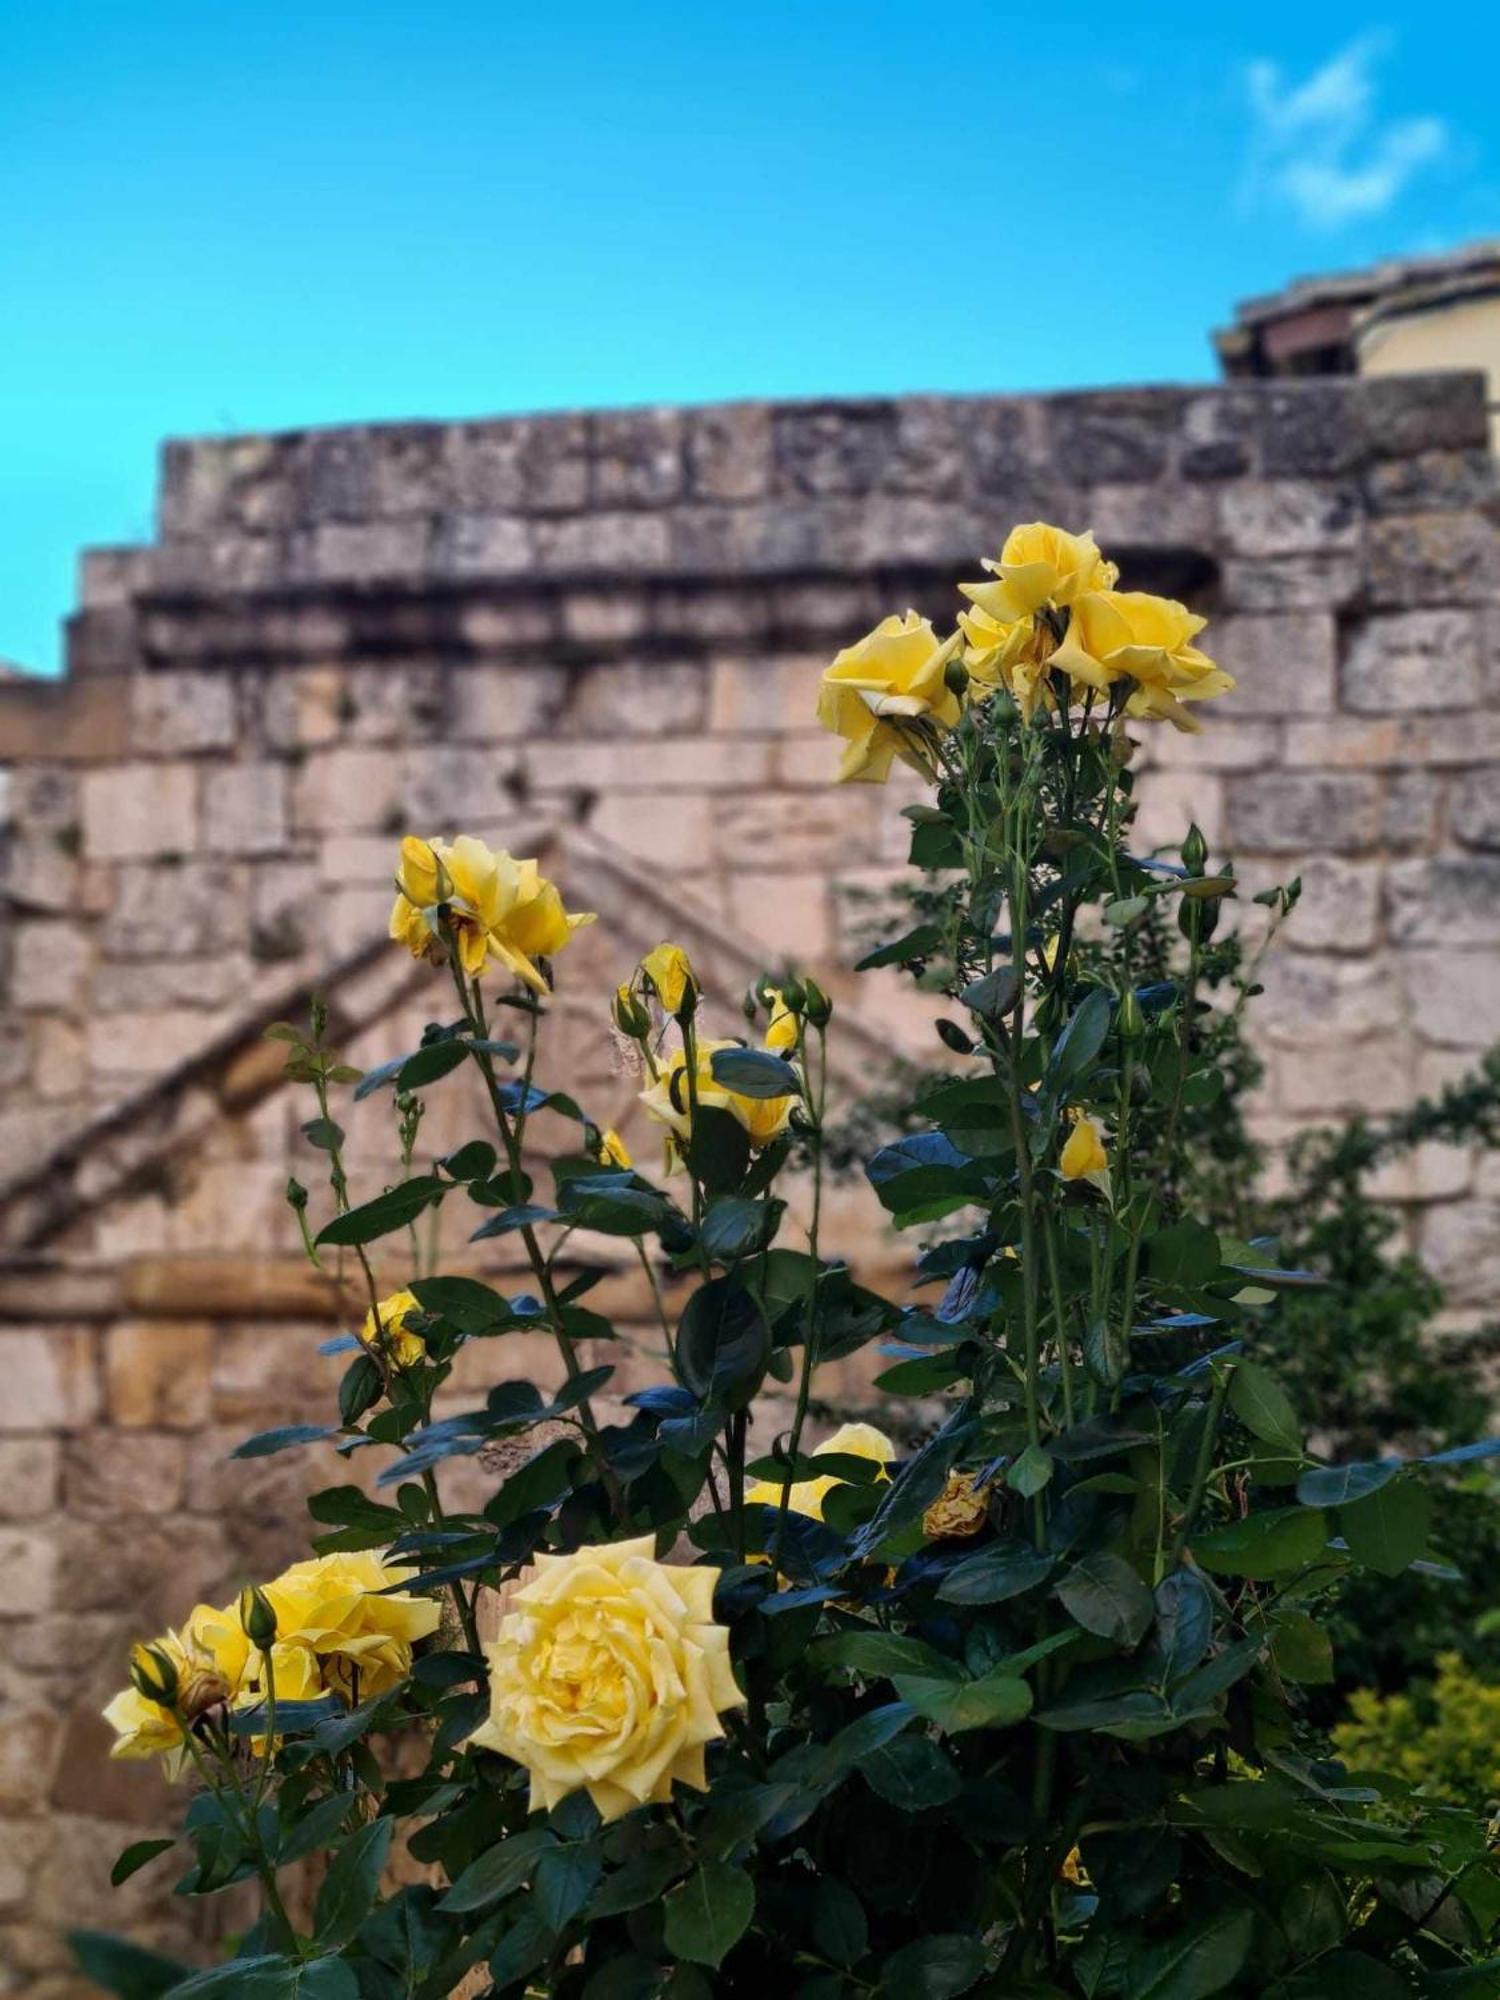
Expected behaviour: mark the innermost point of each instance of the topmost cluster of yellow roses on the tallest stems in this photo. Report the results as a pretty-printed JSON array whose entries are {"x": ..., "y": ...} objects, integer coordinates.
[{"x": 1049, "y": 629}]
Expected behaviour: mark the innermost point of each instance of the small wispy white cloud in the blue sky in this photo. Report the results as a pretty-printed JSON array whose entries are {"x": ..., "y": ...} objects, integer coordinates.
[{"x": 1321, "y": 145}]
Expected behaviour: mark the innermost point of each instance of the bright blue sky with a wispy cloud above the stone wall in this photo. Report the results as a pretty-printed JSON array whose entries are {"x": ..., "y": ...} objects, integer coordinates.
[{"x": 261, "y": 217}]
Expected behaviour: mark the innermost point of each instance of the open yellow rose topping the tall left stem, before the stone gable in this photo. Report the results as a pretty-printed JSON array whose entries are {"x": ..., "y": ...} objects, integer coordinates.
[{"x": 499, "y": 907}]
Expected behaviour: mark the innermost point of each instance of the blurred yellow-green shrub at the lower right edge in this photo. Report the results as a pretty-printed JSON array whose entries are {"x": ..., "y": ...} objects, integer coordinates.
[{"x": 1443, "y": 1735}]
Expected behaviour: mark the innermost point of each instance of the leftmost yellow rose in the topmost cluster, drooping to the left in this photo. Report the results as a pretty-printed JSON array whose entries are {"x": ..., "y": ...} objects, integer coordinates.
[{"x": 893, "y": 677}]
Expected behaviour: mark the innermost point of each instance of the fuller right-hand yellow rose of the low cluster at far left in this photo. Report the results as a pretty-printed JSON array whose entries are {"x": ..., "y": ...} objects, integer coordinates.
[{"x": 335, "y": 1609}]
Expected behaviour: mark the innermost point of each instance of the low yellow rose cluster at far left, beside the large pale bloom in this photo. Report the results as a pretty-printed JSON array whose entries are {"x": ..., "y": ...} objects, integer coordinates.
[{"x": 341, "y": 1627}]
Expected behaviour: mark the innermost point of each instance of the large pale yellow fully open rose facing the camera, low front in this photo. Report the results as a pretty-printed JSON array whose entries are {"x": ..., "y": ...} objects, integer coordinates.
[{"x": 609, "y": 1677}]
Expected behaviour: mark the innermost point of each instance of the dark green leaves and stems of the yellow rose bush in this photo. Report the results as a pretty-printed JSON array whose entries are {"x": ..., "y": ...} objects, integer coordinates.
[{"x": 1061, "y": 1753}]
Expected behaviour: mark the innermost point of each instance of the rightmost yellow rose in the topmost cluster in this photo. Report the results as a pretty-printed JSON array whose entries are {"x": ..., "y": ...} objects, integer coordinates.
[{"x": 1131, "y": 635}]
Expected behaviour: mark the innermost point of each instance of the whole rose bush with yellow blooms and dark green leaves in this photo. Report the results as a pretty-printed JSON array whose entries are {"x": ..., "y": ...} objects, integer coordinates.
[{"x": 1003, "y": 1703}]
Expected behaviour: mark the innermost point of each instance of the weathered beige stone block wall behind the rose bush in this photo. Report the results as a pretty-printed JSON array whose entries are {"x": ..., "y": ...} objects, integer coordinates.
[{"x": 601, "y": 635}]
